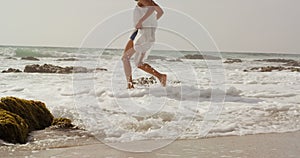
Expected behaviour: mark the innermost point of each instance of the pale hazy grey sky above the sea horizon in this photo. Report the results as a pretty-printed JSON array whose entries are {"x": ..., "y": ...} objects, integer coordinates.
[{"x": 233, "y": 25}]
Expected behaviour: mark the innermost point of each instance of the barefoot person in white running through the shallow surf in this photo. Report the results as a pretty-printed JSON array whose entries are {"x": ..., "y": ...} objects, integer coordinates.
[{"x": 146, "y": 14}]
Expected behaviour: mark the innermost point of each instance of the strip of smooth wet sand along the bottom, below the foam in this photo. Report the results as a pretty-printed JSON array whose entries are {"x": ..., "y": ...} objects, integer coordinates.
[{"x": 285, "y": 145}]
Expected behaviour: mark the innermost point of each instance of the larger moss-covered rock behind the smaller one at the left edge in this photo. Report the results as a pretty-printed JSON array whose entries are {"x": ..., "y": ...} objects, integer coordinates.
[{"x": 35, "y": 113}]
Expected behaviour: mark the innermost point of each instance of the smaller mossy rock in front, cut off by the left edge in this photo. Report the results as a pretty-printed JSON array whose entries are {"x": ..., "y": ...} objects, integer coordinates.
[{"x": 13, "y": 128}]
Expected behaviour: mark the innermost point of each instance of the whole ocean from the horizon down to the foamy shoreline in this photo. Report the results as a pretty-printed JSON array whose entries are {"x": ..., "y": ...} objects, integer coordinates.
[{"x": 203, "y": 98}]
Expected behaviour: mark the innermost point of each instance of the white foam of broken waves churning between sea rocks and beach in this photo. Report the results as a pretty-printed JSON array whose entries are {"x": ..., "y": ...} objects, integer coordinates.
[{"x": 255, "y": 102}]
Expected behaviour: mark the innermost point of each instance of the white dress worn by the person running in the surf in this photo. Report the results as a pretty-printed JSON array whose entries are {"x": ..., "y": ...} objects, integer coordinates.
[{"x": 146, "y": 34}]
